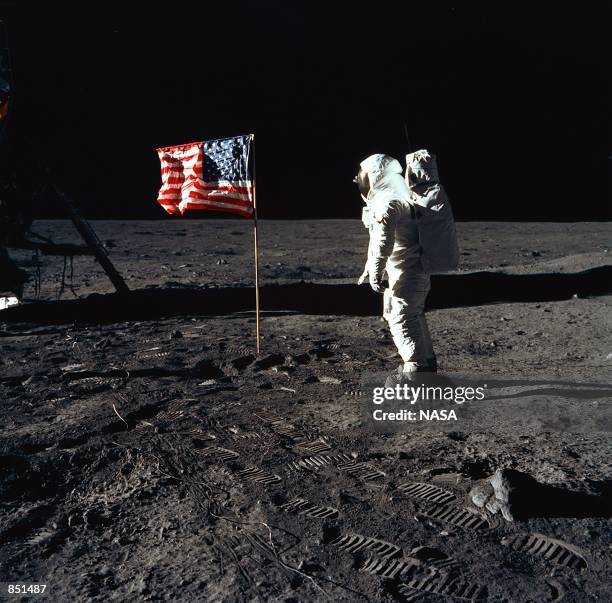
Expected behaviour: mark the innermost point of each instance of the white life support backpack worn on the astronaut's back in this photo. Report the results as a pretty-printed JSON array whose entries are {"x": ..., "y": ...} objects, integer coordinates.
[{"x": 432, "y": 211}]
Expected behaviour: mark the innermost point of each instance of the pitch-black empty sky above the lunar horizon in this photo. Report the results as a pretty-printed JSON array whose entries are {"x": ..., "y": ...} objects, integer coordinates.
[{"x": 513, "y": 98}]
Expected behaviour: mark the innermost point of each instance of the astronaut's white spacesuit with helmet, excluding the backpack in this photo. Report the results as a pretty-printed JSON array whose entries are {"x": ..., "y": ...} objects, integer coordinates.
[{"x": 394, "y": 246}]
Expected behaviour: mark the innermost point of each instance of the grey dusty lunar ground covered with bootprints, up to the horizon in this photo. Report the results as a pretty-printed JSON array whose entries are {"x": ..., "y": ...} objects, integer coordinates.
[{"x": 148, "y": 453}]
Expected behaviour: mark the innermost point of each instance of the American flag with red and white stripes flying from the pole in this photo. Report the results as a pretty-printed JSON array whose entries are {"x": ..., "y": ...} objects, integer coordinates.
[{"x": 212, "y": 175}]
